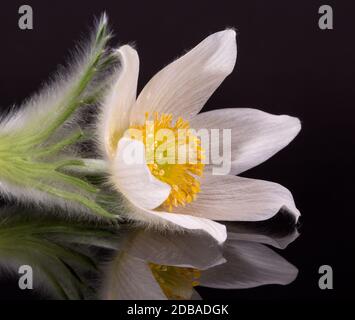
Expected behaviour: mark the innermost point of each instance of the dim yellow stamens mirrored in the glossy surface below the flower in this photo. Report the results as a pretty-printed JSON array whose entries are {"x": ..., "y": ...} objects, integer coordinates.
[{"x": 176, "y": 282}]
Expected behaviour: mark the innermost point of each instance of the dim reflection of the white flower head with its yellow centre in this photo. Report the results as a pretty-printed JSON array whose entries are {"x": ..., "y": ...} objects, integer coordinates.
[{"x": 155, "y": 266}]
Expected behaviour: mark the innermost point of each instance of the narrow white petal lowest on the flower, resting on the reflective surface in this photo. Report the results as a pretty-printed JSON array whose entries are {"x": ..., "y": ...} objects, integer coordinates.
[{"x": 179, "y": 222}]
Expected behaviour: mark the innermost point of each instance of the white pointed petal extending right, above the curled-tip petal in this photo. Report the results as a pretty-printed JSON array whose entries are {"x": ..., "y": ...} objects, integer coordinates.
[{"x": 256, "y": 135}]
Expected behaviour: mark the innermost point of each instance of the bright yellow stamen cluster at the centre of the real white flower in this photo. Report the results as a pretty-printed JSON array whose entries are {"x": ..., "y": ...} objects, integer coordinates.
[{"x": 174, "y": 155}]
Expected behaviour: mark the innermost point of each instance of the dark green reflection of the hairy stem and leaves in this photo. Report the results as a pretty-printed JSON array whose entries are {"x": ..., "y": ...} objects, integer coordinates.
[{"x": 59, "y": 252}]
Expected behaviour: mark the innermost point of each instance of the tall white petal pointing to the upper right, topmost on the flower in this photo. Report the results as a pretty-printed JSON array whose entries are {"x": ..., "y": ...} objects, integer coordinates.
[{"x": 184, "y": 86}]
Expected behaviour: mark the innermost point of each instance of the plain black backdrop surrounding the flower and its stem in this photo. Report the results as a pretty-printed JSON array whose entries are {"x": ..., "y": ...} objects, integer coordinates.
[{"x": 285, "y": 65}]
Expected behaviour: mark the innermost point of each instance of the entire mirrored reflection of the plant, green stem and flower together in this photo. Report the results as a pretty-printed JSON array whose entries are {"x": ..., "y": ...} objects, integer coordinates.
[{"x": 83, "y": 260}]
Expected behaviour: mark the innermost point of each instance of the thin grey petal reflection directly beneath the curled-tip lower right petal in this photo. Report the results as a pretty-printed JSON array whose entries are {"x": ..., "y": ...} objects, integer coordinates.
[{"x": 237, "y": 231}]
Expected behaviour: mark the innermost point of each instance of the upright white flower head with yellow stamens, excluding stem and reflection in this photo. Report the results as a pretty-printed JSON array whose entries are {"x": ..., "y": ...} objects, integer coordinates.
[{"x": 181, "y": 90}]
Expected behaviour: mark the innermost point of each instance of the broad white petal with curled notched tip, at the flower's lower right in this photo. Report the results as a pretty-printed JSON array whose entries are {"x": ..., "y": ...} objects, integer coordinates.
[{"x": 231, "y": 198}]
